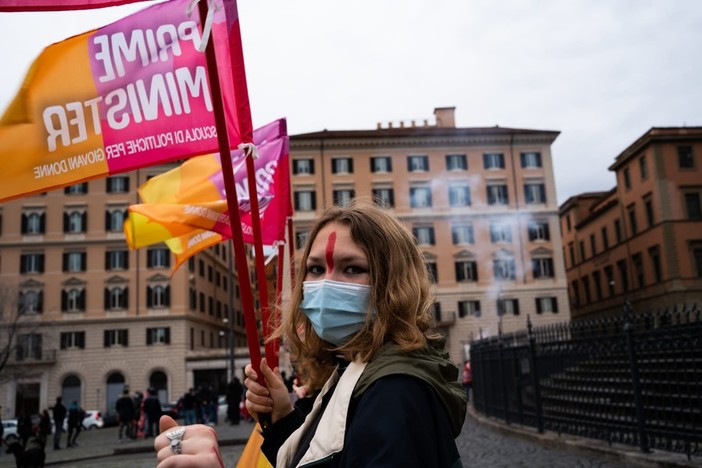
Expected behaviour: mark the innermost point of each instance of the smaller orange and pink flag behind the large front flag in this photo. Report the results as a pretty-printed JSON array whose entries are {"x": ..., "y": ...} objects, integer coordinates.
[{"x": 186, "y": 207}]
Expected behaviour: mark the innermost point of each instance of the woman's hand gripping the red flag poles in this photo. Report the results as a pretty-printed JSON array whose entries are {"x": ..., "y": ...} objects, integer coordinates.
[{"x": 274, "y": 398}]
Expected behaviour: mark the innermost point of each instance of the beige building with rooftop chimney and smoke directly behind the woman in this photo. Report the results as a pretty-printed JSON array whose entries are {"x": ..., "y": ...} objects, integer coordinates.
[{"x": 481, "y": 203}]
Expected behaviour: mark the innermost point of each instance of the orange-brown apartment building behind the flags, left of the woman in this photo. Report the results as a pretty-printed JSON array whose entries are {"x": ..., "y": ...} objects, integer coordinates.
[{"x": 95, "y": 316}]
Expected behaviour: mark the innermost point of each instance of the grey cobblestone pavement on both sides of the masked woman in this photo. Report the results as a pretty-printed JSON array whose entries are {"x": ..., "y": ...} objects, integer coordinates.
[{"x": 482, "y": 443}]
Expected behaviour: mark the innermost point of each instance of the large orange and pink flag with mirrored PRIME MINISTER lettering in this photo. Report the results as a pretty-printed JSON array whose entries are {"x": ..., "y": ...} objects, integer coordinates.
[{"x": 128, "y": 95}]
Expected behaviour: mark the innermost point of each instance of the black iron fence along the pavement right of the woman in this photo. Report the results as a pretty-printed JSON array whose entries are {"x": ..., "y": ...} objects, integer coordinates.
[{"x": 635, "y": 379}]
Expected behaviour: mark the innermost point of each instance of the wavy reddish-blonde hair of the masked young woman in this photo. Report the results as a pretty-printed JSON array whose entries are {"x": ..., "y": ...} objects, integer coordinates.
[{"x": 400, "y": 292}]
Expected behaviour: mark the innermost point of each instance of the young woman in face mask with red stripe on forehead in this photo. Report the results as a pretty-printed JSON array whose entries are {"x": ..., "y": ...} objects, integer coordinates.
[{"x": 359, "y": 323}]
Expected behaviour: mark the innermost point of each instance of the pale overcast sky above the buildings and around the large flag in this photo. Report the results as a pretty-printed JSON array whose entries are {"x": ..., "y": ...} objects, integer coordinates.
[{"x": 602, "y": 72}]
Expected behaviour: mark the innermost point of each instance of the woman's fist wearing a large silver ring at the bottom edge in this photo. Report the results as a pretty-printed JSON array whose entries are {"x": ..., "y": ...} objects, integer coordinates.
[{"x": 198, "y": 446}]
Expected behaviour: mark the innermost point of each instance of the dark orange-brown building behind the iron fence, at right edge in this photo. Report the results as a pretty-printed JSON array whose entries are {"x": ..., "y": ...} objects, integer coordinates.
[{"x": 641, "y": 241}]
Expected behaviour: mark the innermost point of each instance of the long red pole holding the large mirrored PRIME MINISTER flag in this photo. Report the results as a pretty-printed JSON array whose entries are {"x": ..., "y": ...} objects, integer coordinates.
[{"x": 233, "y": 203}]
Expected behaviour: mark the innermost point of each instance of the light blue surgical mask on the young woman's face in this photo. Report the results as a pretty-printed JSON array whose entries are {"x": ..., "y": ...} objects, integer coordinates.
[{"x": 337, "y": 310}]
